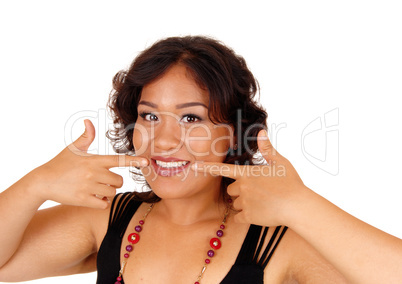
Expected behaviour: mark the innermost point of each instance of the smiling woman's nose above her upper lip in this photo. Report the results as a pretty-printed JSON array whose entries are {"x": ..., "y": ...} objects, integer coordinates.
[{"x": 168, "y": 136}]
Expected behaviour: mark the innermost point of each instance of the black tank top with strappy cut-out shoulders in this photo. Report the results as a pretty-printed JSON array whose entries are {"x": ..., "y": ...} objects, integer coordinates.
[{"x": 248, "y": 267}]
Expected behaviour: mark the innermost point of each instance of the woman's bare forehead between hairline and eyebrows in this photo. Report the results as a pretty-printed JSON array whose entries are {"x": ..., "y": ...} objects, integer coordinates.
[{"x": 175, "y": 86}]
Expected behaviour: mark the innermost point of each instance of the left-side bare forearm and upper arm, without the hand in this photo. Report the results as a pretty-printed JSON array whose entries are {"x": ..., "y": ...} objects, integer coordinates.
[{"x": 50, "y": 242}]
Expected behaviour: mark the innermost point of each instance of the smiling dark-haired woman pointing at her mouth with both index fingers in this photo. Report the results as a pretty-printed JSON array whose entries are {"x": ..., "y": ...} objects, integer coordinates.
[{"x": 185, "y": 108}]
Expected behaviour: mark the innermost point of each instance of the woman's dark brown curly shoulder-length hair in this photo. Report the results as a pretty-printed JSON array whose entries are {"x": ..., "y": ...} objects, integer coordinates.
[{"x": 215, "y": 68}]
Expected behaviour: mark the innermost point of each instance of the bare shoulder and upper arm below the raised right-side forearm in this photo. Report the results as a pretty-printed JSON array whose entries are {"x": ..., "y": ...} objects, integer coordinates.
[{"x": 303, "y": 263}]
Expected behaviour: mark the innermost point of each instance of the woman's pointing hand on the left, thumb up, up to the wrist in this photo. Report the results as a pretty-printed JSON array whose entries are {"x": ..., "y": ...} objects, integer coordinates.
[{"x": 75, "y": 177}]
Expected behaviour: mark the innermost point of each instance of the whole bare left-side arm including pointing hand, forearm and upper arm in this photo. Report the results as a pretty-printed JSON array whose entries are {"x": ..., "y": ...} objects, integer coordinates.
[{"x": 63, "y": 234}]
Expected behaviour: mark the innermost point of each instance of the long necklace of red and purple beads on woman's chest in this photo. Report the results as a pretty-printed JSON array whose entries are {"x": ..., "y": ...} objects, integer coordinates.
[{"x": 134, "y": 238}]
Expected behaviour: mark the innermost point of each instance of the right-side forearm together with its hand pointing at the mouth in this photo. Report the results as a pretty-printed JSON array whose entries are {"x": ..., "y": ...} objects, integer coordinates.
[{"x": 275, "y": 195}]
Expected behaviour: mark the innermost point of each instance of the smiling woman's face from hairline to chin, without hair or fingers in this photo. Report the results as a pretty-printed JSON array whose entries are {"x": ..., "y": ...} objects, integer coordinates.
[{"x": 173, "y": 131}]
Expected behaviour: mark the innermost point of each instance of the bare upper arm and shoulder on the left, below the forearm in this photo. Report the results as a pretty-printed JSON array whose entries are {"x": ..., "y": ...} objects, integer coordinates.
[{"x": 58, "y": 241}]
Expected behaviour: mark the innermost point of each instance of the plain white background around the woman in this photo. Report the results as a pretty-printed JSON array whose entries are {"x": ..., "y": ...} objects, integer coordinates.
[{"x": 57, "y": 60}]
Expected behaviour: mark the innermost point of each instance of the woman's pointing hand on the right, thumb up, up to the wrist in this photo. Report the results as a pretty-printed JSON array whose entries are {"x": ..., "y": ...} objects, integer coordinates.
[{"x": 264, "y": 194}]
